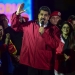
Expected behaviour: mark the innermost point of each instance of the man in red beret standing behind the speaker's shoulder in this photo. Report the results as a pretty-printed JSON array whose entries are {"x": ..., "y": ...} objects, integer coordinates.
[{"x": 55, "y": 19}]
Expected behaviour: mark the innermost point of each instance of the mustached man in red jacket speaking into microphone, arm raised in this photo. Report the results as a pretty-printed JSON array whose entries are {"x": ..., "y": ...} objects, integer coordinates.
[{"x": 38, "y": 44}]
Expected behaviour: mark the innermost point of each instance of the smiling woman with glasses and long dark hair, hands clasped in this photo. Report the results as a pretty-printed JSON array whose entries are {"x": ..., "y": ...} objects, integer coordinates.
[{"x": 65, "y": 62}]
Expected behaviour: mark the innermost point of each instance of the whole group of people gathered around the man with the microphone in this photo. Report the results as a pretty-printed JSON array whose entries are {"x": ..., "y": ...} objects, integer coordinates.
[{"x": 45, "y": 46}]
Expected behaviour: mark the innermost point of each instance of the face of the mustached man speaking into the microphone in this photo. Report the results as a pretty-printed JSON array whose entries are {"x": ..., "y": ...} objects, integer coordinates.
[{"x": 43, "y": 16}]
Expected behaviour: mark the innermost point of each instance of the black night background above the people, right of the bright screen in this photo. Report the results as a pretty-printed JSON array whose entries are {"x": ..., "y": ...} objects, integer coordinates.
[{"x": 66, "y": 7}]
